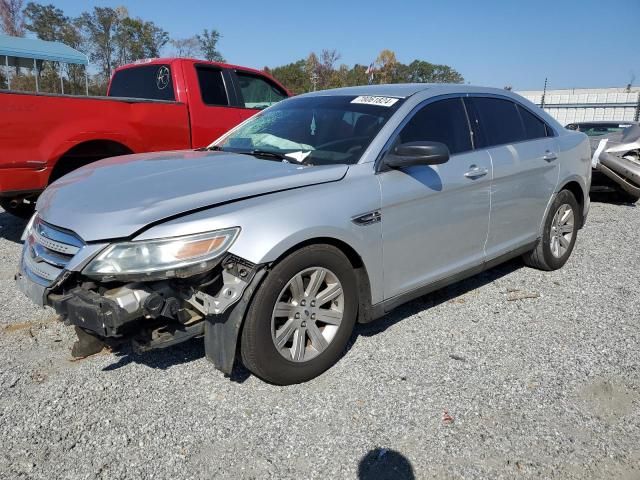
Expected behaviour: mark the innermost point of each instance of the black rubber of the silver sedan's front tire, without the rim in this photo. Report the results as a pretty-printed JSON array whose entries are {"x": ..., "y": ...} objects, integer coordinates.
[{"x": 257, "y": 349}]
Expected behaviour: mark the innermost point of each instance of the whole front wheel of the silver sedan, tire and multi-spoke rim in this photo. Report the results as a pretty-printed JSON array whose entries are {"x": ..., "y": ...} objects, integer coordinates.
[{"x": 301, "y": 317}]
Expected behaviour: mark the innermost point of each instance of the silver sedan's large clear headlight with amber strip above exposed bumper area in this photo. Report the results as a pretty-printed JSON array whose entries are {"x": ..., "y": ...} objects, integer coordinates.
[{"x": 173, "y": 257}]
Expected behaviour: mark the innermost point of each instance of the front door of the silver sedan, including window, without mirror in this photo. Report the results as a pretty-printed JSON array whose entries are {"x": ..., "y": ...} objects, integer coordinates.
[{"x": 435, "y": 217}]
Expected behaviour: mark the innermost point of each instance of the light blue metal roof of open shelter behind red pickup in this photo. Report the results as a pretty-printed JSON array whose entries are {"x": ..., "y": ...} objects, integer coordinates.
[{"x": 40, "y": 50}]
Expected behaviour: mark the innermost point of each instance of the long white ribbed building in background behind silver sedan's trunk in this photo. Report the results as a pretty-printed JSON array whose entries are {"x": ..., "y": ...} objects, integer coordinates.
[{"x": 588, "y": 104}]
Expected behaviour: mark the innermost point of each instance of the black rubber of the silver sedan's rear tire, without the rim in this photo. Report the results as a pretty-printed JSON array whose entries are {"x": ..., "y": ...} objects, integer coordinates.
[{"x": 541, "y": 257}]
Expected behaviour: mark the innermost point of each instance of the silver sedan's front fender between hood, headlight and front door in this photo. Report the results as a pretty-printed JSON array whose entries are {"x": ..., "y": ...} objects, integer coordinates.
[{"x": 275, "y": 223}]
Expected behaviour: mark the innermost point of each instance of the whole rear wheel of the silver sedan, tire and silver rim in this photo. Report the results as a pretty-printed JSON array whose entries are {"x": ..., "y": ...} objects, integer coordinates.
[{"x": 558, "y": 235}]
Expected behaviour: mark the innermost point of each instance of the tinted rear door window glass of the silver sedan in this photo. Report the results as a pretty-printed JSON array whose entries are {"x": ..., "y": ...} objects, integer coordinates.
[{"x": 498, "y": 122}]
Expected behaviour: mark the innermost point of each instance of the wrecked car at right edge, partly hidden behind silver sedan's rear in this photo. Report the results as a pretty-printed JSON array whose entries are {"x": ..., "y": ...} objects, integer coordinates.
[{"x": 616, "y": 157}]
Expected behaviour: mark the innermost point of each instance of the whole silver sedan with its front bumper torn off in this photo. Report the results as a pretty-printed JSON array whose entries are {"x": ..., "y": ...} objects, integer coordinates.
[{"x": 324, "y": 210}]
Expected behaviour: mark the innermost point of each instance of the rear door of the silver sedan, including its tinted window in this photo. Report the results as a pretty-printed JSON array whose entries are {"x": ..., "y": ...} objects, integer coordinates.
[{"x": 525, "y": 169}]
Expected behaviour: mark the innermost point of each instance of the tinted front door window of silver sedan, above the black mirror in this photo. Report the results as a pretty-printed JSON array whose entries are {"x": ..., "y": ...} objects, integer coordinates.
[{"x": 443, "y": 121}]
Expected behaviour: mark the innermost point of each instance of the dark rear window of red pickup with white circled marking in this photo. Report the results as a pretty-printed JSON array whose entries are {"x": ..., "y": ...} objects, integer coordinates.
[{"x": 152, "y": 82}]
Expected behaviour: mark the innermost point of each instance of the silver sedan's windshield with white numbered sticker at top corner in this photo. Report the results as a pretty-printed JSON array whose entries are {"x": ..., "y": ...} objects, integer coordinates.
[{"x": 318, "y": 130}]
